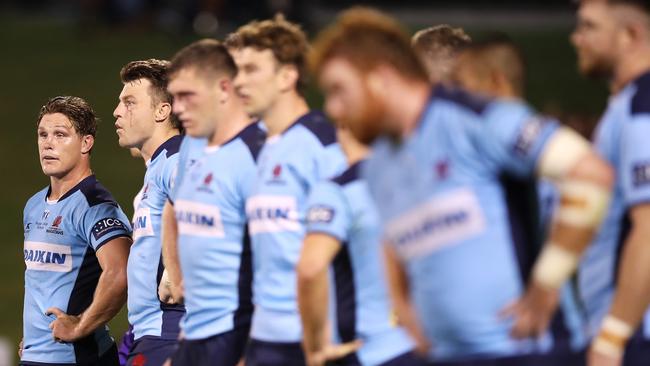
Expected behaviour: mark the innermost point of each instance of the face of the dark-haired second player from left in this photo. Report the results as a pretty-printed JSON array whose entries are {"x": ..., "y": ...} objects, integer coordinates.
[{"x": 135, "y": 114}]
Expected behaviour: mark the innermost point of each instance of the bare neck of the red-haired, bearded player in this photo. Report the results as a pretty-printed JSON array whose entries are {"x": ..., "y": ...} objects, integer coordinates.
[{"x": 410, "y": 105}]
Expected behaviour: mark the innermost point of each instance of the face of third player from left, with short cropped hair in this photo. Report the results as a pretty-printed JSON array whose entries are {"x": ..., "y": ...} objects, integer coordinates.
[{"x": 196, "y": 101}]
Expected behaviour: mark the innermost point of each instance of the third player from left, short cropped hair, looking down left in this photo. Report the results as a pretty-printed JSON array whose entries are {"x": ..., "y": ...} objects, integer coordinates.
[{"x": 209, "y": 202}]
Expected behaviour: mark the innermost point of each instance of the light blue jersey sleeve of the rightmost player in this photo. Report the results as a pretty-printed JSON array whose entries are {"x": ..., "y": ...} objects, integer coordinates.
[{"x": 634, "y": 170}]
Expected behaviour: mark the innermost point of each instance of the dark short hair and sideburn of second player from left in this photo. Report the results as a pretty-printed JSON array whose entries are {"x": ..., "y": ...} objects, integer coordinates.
[{"x": 156, "y": 72}]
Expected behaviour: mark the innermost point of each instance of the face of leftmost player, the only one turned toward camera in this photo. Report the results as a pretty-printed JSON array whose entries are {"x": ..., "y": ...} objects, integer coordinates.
[{"x": 60, "y": 148}]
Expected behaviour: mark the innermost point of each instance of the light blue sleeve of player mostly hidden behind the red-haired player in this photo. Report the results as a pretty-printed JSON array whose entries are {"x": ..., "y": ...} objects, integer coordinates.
[{"x": 328, "y": 211}]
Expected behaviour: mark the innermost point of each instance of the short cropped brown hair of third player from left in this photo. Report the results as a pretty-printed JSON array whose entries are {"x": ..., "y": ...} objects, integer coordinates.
[{"x": 206, "y": 55}]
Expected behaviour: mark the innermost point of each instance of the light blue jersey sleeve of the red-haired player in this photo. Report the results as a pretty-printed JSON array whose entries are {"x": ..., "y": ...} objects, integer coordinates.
[{"x": 512, "y": 136}]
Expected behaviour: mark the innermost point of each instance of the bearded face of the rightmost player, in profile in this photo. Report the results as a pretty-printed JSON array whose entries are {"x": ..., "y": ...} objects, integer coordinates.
[{"x": 595, "y": 39}]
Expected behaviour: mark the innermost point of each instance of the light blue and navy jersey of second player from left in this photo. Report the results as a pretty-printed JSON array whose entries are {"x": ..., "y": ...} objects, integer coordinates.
[{"x": 148, "y": 315}]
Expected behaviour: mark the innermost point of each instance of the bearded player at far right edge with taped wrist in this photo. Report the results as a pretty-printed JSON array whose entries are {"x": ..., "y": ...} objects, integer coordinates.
[{"x": 612, "y": 39}]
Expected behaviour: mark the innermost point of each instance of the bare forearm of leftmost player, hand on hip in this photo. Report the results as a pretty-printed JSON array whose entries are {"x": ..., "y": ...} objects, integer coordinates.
[{"x": 109, "y": 297}]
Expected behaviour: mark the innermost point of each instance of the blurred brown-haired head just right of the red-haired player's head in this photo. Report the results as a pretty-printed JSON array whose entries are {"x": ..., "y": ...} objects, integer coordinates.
[{"x": 438, "y": 47}]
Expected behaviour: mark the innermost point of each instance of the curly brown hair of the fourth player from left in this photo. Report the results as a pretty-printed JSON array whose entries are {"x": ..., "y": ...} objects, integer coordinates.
[{"x": 286, "y": 40}]
